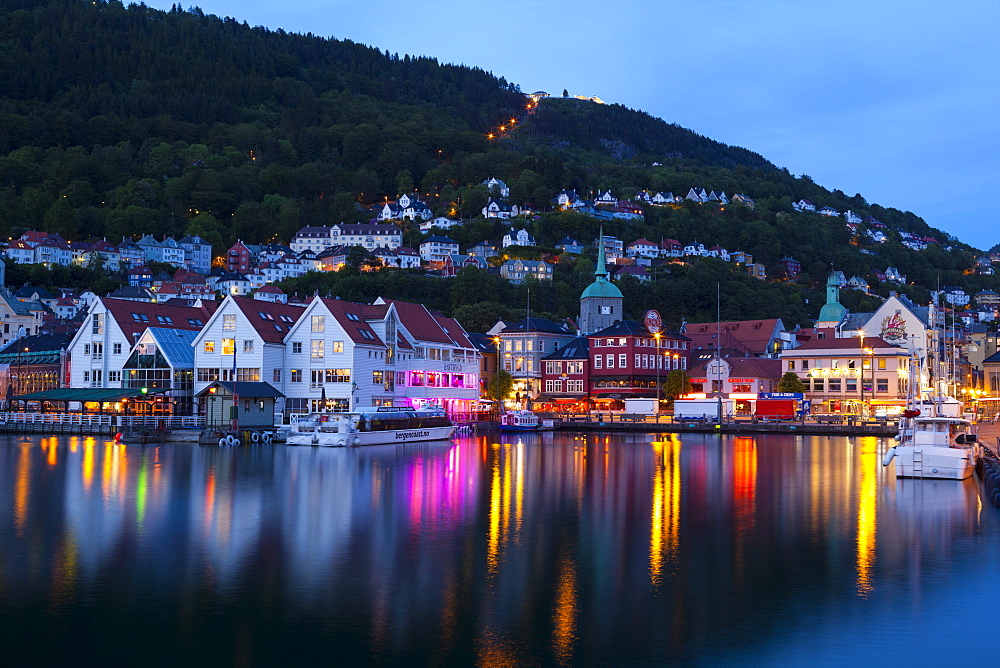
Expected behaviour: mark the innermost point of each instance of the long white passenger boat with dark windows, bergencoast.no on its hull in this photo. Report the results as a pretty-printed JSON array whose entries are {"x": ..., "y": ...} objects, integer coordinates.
[{"x": 378, "y": 426}]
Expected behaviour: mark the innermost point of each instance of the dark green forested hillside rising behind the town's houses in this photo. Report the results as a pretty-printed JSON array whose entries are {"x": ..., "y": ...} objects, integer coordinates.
[{"x": 123, "y": 120}]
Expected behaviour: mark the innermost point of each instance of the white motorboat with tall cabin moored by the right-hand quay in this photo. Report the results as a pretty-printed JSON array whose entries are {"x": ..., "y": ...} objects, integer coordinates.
[{"x": 934, "y": 446}]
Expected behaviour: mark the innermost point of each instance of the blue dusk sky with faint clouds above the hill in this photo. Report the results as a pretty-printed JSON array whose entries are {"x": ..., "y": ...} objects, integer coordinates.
[{"x": 895, "y": 99}]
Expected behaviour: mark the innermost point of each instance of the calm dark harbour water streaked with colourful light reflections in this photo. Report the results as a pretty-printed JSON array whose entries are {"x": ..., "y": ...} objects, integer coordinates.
[{"x": 544, "y": 549}]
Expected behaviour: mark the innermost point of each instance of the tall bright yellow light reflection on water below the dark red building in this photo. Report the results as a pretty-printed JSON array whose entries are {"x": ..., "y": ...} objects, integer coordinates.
[{"x": 664, "y": 539}]
